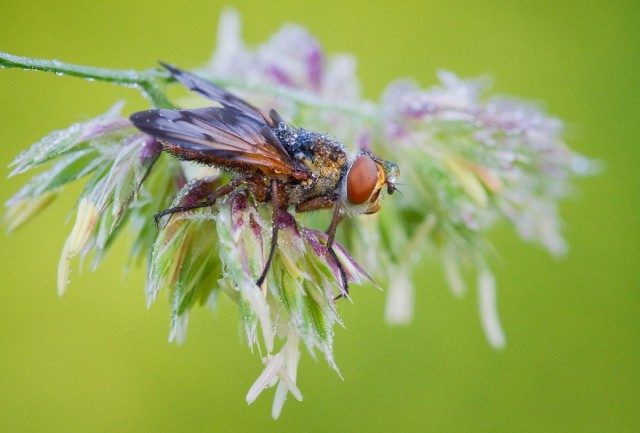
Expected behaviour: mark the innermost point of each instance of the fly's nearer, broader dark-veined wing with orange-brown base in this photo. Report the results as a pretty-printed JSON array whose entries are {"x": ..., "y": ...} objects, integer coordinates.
[{"x": 225, "y": 137}]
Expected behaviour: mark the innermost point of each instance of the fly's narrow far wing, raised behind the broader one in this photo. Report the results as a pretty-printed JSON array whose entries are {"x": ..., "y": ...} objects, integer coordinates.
[{"x": 216, "y": 93}]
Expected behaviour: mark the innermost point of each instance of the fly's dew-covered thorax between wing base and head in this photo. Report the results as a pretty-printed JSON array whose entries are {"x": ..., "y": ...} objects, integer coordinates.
[{"x": 321, "y": 155}]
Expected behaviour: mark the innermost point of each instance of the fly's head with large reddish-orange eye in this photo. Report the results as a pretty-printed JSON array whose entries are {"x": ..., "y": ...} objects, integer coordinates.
[{"x": 367, "y": 179}]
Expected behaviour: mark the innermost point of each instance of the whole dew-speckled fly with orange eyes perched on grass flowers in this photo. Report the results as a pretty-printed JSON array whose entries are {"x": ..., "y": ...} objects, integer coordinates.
[{"x": 276, "y": 162}]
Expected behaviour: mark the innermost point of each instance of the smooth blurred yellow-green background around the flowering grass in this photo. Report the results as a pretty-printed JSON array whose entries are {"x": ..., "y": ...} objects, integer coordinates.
[{"x": 98, "y": 360}]
